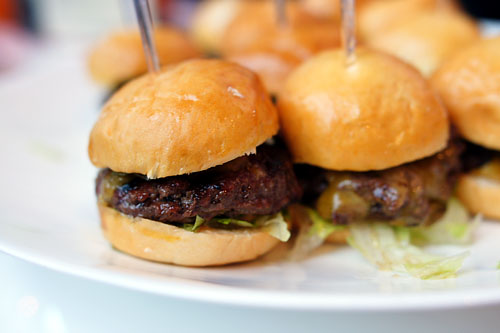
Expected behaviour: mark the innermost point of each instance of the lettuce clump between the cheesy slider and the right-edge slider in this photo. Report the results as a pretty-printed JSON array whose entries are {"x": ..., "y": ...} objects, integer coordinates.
[{"x": 454, "y": 227}]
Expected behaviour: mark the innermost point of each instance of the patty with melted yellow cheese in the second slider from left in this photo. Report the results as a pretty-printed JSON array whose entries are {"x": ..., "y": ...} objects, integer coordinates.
[{"x": 411, "y": 194}]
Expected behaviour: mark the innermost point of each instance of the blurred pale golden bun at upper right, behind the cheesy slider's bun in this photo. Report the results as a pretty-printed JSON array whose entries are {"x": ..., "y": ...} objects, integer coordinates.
[{"x": 429, "y": 39}]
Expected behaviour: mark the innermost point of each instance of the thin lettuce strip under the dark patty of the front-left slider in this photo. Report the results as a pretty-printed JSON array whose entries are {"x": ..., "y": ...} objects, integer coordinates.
[{"x": 275, "y": 225}]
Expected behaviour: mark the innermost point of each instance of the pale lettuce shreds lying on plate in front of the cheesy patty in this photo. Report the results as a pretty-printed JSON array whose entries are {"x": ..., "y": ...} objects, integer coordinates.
[{"x": 389, "y": 248}]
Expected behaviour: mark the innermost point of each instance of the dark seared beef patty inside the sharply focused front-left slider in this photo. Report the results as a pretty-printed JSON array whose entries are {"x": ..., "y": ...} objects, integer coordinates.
[{"x": 257, "y": 184}]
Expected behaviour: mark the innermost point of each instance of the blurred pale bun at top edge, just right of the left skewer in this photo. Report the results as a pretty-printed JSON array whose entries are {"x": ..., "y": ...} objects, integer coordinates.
[{"x": 210, "y": 21}]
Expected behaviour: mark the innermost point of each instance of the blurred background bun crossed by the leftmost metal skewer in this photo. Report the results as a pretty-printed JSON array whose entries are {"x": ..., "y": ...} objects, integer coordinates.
[{"x": 120, "y": 56}]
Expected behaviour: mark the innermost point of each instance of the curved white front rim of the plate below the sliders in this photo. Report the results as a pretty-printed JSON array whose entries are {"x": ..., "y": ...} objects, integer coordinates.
[{"x": 186, "y": 289}]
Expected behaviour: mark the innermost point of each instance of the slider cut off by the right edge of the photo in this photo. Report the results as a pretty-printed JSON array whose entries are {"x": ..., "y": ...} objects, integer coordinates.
[{"x": 469, "y": 84}]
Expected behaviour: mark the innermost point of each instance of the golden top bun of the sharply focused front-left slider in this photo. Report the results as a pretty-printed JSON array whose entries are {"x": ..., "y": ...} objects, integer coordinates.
[{"x": 187, "y": 118}]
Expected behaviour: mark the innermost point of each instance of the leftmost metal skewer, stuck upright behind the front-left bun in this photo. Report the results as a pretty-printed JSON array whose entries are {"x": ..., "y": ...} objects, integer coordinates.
[{"x": 145, "y": 22}]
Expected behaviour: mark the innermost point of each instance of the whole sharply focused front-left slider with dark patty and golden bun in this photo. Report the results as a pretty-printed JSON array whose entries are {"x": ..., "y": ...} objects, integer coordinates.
[{"x": 188, "y": 176}]
